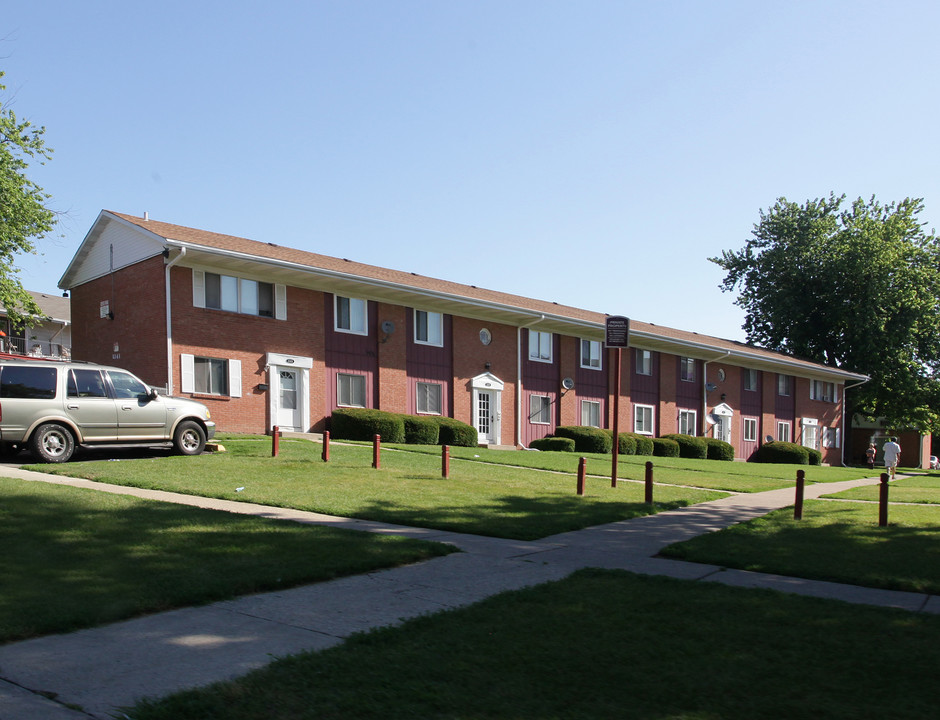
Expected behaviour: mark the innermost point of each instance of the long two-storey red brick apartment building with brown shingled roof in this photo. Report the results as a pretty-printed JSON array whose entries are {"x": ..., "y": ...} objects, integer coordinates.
[{"x": 267, "y": 335}]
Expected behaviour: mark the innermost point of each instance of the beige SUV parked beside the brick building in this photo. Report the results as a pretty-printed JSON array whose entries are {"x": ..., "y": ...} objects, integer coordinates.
[{"x": 52, "y": 407}]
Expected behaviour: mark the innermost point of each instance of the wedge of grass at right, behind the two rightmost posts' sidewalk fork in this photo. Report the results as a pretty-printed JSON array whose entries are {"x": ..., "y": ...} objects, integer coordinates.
[{"x": 837, "y": 541}]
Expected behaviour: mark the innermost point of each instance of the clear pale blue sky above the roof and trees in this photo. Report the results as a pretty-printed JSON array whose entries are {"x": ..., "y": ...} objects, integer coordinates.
[{"x": 592, "y": 153}]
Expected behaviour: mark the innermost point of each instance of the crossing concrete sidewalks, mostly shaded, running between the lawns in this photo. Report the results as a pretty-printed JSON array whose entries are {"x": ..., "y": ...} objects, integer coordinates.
[{"x": 102, "y": 669}]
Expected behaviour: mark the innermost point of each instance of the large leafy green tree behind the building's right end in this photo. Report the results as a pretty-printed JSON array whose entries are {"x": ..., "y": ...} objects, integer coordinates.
[{"x": 853, "y": 286}]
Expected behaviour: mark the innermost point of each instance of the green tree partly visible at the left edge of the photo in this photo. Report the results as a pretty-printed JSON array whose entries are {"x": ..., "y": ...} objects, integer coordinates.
[{"x": 24, "y": 217}]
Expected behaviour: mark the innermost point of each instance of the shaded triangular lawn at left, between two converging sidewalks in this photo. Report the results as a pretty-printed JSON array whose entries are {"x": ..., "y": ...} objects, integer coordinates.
[{"x": 77, "y": 558}]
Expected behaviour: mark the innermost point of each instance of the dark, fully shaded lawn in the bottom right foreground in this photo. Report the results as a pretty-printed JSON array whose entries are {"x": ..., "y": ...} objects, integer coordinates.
[{"x": 603, "y": 644}]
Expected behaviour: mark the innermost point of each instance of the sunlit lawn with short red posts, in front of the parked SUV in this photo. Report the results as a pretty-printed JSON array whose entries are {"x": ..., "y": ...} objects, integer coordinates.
[{"x": 479, "y": 498}]
